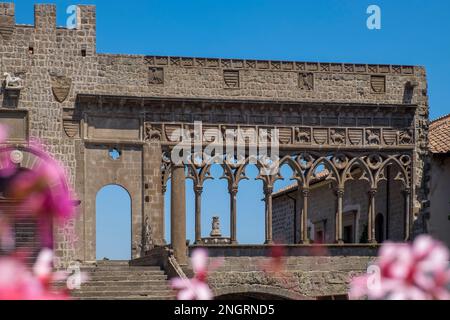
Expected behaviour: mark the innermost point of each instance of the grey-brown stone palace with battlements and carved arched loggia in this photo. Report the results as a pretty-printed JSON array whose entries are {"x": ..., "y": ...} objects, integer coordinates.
[{"x": 111, "y": 119}]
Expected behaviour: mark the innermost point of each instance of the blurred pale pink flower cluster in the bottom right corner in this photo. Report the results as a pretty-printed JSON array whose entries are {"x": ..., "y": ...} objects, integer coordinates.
[{"x": 407, "y": 272}]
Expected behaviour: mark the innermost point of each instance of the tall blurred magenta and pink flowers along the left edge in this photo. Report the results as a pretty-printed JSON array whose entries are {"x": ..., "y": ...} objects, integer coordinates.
[{"x": 41, "y": 194}]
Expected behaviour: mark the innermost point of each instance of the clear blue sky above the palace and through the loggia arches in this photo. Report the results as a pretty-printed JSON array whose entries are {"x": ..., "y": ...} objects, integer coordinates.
[{"x": 414, "y": 32}]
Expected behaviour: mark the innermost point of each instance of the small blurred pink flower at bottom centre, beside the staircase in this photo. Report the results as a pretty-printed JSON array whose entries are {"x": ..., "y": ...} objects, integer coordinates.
[{"x": 197, "y": 287}]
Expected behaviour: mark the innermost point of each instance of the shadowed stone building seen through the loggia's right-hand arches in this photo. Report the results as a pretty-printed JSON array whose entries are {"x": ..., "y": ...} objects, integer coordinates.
[{"x": 389, "y": 217}]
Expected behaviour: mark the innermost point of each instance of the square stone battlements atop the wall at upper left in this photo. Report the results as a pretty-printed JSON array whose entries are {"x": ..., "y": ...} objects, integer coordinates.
[{"x": 45, "y": 18}]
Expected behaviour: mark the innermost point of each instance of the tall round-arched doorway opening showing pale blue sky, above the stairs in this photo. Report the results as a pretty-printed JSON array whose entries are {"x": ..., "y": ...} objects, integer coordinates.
[{"x": 113, "y": 223}]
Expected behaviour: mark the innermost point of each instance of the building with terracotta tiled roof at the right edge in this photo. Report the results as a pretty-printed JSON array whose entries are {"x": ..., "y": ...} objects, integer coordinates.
[{"x": 440, "y": 179}]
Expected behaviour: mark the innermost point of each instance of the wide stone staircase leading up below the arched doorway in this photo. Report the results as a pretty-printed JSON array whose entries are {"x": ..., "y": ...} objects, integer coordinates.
[{"x": 116, "y": 280}]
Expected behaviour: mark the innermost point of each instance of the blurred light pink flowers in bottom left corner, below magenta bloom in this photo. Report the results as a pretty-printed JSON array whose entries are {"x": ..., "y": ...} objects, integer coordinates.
[{"x": 18, "y": 283}]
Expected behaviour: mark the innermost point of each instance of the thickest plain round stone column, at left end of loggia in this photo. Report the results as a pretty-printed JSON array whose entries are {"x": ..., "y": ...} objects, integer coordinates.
[{"x": 178, "y": 214}]
